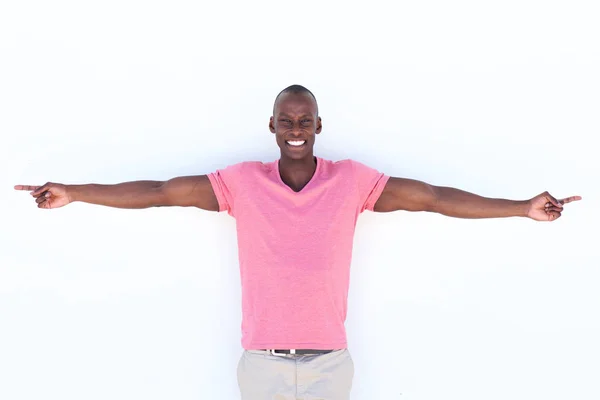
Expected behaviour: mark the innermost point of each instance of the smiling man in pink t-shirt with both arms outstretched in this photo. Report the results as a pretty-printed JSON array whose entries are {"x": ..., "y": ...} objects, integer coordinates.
[{"x": 295, "y": 221}]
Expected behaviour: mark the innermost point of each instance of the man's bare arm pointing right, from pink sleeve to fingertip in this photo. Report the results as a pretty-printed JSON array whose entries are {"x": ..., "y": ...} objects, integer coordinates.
[{"x": 413, "y": 195}]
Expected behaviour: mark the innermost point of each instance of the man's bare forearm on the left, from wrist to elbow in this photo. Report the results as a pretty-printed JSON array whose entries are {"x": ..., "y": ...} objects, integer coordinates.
[{"x": 137, "y": 194}]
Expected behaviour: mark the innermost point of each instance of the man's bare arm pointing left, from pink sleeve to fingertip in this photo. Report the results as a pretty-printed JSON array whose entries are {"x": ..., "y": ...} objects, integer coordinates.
[{"x": 184, "y": 191}]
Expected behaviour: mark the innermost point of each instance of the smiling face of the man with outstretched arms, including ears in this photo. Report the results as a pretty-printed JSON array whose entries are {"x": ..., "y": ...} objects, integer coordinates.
[{"x": 295, "y": 120}]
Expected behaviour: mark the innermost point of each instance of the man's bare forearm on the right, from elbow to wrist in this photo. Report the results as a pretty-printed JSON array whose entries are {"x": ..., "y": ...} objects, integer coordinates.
[{"x": 460, "y": 204}]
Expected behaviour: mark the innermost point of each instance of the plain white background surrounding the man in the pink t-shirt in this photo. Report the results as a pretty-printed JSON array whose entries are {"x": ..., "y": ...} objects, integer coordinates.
[{"x": 497, "y": 98}]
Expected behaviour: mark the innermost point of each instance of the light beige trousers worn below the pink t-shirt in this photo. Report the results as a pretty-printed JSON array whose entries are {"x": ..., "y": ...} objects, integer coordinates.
[{"x": 264, "y": 376}]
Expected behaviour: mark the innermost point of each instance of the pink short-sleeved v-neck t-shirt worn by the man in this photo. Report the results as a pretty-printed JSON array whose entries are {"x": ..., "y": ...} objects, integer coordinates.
[{"x": 295, "y": 249}]
